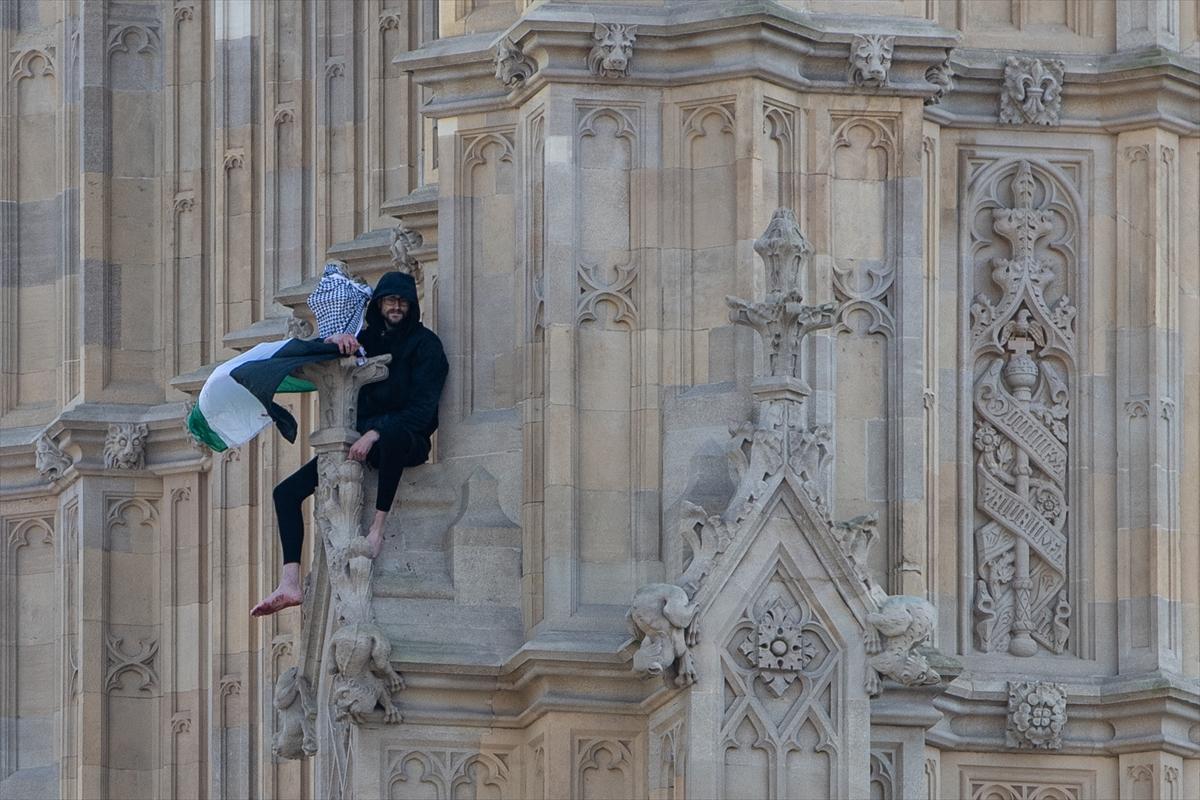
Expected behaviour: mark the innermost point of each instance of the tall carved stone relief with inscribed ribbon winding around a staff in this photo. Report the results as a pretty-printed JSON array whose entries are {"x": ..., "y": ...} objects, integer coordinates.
[{"x": 1024, "y": 347}]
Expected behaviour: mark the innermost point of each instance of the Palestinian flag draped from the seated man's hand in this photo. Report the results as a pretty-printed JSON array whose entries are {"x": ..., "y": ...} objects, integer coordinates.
[{"x": 237, "y": 400}]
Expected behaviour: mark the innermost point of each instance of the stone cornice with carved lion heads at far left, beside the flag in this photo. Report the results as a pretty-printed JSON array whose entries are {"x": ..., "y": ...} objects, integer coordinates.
[{"x": 80, "y": 434}]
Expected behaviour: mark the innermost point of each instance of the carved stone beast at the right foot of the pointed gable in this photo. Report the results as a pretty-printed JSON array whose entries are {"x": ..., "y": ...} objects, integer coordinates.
[{"x": 893, "y": 634}]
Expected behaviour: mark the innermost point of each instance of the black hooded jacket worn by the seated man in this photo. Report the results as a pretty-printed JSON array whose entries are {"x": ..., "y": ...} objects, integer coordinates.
[{"x": 406, "y": 405}]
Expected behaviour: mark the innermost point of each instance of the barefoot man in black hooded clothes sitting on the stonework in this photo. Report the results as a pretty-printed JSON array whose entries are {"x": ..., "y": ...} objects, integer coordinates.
[{"x": 397, "y": 419}]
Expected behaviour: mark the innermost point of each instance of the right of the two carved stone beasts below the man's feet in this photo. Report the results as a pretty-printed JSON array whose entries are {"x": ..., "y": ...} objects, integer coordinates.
[{"x": 363, "y": 673}]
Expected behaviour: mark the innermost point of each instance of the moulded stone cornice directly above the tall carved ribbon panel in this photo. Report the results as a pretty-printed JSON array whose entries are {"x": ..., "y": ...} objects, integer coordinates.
[{"x": 1101, "y": 93}]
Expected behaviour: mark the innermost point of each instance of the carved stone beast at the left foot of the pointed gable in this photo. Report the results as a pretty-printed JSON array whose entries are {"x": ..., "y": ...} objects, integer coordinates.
[{"x": 664, "y": 619}]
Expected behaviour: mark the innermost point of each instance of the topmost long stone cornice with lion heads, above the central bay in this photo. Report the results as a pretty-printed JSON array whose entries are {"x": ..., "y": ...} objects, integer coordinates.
[{"x": 760, "y": 39}]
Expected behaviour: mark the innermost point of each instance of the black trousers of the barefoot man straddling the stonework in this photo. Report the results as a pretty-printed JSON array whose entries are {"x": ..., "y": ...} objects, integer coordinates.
[{"x": 388, "y": 456}]
